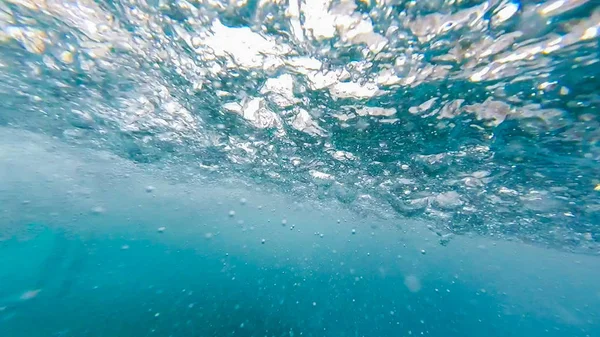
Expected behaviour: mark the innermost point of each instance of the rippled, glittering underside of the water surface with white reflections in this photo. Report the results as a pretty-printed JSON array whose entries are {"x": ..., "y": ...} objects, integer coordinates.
[{"x": 419, "y": 97}]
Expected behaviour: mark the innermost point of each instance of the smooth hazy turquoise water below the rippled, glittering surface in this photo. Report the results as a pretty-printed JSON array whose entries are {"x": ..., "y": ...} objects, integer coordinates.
[{"x": 116, "y": 272}]
